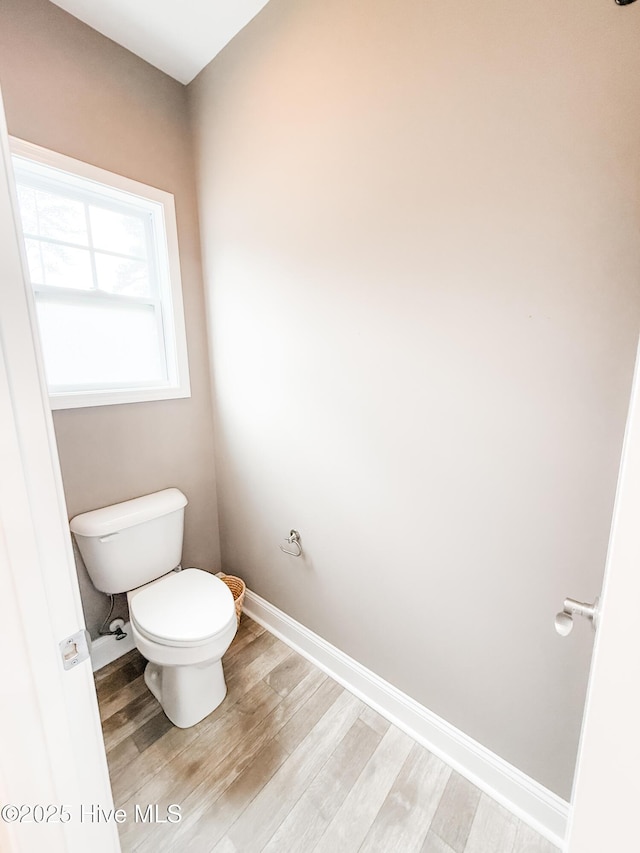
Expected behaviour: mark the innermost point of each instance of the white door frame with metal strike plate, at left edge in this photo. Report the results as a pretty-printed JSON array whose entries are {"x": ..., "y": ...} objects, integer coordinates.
[{"x": 53, "y": 772}]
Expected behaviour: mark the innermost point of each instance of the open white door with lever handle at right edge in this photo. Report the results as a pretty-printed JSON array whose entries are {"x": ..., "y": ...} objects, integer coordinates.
[{"x": 606, "y": 790}]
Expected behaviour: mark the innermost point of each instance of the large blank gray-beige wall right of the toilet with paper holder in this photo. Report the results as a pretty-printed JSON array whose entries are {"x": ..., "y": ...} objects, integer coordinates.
[{"x": 420, "y": 233}]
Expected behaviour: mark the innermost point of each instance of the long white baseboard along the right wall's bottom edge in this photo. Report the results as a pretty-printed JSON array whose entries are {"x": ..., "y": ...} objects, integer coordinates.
[{"x": 534, "y": 804}]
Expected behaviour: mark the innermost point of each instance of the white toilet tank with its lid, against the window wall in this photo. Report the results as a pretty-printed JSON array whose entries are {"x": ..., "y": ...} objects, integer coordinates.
[{"x": 129, "y": 544}]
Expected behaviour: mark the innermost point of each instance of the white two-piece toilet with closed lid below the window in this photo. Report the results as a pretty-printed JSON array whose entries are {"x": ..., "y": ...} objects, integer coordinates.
[{"x": 183, "y": 621}]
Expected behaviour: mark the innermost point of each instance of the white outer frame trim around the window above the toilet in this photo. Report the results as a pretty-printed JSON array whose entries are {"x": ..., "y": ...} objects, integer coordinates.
[{"x": 167, "y": 263}]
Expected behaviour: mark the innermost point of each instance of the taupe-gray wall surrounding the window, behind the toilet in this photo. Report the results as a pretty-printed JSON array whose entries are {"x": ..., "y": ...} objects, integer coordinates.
[{"x": 70, "y": 89}]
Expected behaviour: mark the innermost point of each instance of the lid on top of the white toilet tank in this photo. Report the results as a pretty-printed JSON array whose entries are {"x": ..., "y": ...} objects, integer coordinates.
[{"x": 111, "y": 519}]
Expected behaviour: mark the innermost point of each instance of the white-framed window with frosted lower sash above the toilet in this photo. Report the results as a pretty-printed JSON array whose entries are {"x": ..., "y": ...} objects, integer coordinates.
[{"x": 102, "y": 256}]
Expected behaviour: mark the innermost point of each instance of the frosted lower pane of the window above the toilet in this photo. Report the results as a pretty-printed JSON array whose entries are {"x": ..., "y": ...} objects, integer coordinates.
[{"x": 100, "y": 344}]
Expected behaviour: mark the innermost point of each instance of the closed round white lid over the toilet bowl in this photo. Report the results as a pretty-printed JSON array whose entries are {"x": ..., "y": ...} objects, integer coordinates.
[{"x": 190, "y": 606}]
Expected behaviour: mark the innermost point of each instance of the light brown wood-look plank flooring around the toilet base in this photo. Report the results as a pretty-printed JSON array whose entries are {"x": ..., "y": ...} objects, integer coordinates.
[{"x": 290, "y": 761}]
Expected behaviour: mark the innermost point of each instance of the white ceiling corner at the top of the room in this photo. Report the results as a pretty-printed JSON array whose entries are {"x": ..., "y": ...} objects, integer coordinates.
[{"x": 179, "y": 37}]
